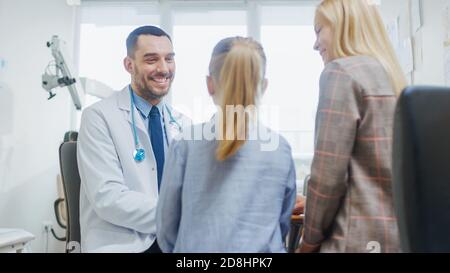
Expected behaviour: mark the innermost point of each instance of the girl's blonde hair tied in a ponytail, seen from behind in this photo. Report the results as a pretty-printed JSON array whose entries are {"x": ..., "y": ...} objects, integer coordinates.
[{"x": 237, "y": 67}]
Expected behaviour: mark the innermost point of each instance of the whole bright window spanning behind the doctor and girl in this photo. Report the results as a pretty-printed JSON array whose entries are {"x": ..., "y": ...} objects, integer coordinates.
[{"x": 285, "y": 28}]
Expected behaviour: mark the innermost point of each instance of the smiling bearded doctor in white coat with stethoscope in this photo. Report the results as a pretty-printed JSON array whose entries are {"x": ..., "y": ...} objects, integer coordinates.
[{"x": 121, "y": 150}]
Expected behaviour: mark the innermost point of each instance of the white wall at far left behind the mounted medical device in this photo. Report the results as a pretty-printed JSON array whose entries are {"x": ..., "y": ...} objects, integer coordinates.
[{"x": 31, "y": 127}]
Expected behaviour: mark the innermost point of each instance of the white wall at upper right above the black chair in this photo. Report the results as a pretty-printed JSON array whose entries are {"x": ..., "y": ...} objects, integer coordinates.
[{"x": 430, "y": 70}]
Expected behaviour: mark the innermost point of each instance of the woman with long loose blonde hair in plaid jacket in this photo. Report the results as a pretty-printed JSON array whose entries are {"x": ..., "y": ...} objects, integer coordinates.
[{"x": 349, "y": 205}]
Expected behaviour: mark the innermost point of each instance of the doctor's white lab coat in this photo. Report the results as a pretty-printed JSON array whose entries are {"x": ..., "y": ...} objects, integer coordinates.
[{"x": 118, "y": 195}]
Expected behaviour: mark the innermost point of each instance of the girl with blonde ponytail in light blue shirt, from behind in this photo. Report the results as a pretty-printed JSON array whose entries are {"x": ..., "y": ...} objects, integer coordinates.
[{"x": 231, "y": 193}]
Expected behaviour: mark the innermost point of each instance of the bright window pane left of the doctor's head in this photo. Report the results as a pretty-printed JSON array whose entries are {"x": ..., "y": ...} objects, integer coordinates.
[{"x": 103, "y": 31}]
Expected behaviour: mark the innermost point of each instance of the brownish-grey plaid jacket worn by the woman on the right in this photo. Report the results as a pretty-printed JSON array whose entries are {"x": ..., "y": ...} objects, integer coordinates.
[{"x": 349, "y": 205}]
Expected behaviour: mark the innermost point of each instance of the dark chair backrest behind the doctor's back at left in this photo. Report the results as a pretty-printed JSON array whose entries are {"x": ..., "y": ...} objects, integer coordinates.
[{"x": 71, "y": 183}]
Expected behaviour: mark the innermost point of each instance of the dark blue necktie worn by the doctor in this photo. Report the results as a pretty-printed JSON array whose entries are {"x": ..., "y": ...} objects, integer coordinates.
[{"x": 157, "y": 140}]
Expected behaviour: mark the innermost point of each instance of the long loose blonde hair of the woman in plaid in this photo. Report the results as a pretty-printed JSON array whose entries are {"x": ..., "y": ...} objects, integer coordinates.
[{"x": 359, "y": 30}]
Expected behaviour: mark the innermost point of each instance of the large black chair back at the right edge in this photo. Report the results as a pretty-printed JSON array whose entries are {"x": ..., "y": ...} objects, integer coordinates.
[{"x": 421, "y": 169}]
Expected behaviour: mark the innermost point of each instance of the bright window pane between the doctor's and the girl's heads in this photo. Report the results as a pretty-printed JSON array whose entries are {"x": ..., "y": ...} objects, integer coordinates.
[{"x": 195, "y": 35}]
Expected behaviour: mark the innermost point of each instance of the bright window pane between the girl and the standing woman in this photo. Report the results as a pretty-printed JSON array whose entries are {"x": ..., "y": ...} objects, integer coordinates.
[{"x": 293, "y": 71}]
